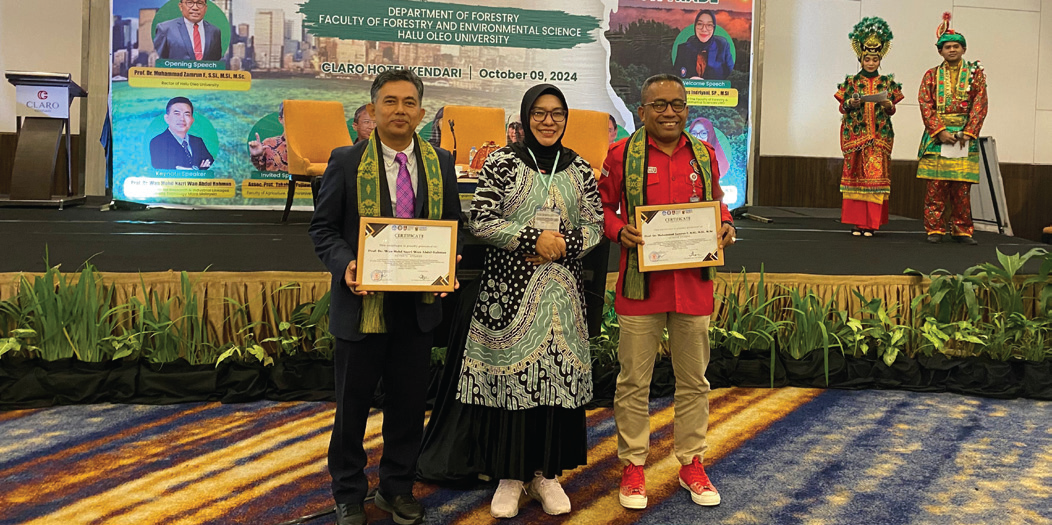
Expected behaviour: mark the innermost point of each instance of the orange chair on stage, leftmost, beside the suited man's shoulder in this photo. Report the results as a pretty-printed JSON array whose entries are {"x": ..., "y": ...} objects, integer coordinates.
[{"x": 314, "y": 129}]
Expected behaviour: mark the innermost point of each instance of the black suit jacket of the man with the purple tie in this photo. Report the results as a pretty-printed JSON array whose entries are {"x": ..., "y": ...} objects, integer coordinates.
[{"x": 335, "y": 230}]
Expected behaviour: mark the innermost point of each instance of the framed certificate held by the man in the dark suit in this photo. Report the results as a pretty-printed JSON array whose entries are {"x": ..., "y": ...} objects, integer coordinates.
[{"x": 407, "y": 255}]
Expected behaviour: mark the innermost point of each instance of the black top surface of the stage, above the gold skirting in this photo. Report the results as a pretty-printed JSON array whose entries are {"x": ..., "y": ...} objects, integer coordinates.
[{"x": 808, "y": 241}]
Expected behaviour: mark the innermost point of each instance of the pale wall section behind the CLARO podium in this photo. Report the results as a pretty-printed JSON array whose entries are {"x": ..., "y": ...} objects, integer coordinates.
[{"x": 42, "y": 36}]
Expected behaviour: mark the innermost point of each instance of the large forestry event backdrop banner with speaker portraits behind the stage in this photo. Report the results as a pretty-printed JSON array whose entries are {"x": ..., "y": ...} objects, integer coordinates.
[{"x": 197, "y": 86}]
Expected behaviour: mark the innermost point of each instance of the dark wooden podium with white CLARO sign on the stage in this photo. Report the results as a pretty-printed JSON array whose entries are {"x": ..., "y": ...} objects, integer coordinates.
[{"x": 43, "y": 102}]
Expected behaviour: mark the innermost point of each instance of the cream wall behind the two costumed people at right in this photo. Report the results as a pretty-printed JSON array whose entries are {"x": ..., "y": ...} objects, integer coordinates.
[{"x": 808, "y": 53}]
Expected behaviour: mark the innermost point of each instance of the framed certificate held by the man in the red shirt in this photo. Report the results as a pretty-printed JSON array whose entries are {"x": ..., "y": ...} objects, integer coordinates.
[{"x": 680, "y": 236}]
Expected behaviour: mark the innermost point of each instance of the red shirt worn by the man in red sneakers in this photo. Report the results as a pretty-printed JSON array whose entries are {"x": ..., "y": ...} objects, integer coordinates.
[{"x": 669, "y": 183}]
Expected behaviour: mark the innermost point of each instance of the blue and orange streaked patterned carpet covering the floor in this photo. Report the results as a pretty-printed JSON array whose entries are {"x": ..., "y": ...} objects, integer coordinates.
[{"x": 779, "y": 457}]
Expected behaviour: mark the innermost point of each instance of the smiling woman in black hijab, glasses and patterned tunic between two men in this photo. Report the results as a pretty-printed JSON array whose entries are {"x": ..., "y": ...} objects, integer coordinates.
[{"x": 527, "y": 366}]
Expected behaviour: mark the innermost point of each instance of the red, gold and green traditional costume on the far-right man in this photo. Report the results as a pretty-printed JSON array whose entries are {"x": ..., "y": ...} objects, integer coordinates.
[{"x": 953, "y": 99}]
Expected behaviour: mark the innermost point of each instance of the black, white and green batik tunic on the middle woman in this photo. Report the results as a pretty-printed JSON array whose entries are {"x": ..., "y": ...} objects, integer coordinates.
[{"x": 528, "y": 345}]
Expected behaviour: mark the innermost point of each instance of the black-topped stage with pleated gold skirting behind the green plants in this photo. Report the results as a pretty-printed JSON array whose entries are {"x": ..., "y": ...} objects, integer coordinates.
[{"x": 249, "y": 262}]
